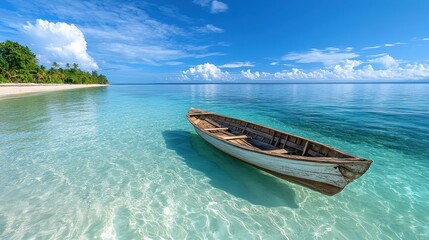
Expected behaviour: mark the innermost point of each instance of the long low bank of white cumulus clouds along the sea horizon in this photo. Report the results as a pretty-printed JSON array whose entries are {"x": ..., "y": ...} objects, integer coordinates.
[{"x": 385, "y": 68}]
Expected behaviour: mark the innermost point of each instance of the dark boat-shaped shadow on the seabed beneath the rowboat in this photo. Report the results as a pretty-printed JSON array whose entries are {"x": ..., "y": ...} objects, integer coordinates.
[{"x": 230, "y": 174}]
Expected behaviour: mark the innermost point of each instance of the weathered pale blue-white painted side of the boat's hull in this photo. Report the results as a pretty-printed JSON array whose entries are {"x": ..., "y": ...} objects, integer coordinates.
[{"x": 323, "y": 177}]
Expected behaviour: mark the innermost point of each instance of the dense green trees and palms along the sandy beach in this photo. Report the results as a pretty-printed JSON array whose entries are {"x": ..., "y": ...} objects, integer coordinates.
[{"x": 19, "y": 65}]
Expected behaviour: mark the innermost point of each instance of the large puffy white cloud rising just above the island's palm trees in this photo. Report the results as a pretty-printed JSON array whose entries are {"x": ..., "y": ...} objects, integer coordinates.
[{"x": 59, "y": 42}]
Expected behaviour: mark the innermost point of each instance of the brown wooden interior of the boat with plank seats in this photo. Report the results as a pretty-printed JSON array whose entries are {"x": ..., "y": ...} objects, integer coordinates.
[{"x": 260, "y": 138}]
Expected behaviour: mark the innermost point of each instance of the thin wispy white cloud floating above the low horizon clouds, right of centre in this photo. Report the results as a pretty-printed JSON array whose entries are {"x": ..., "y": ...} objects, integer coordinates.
[{"x": 328, "y": 56}]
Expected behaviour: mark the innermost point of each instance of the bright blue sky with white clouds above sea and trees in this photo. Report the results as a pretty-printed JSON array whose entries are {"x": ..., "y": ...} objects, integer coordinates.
[{"x": 225, "y": 40}]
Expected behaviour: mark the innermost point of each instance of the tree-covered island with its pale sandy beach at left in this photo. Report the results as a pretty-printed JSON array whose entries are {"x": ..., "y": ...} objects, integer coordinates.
[{"x": 20, "y": 73}]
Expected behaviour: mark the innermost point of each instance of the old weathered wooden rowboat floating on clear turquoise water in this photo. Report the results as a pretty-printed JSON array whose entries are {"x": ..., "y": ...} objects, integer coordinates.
[{"x": 296, "y": 159}]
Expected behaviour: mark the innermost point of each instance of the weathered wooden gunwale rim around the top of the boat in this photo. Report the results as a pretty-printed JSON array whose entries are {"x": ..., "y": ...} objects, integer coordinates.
[{"x": 351, "y": 160}]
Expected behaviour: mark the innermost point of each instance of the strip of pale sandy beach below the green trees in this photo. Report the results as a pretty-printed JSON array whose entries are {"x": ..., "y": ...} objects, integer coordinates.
[{"x": 24, "y": 89}]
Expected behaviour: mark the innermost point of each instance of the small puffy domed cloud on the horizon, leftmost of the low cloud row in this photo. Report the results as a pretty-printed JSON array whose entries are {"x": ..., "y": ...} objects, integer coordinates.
[{"x": 206, "y": 71}]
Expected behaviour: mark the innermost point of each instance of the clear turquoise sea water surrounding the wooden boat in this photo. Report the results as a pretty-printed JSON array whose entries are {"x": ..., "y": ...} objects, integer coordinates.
[{"x": 123, "y": 162}]
